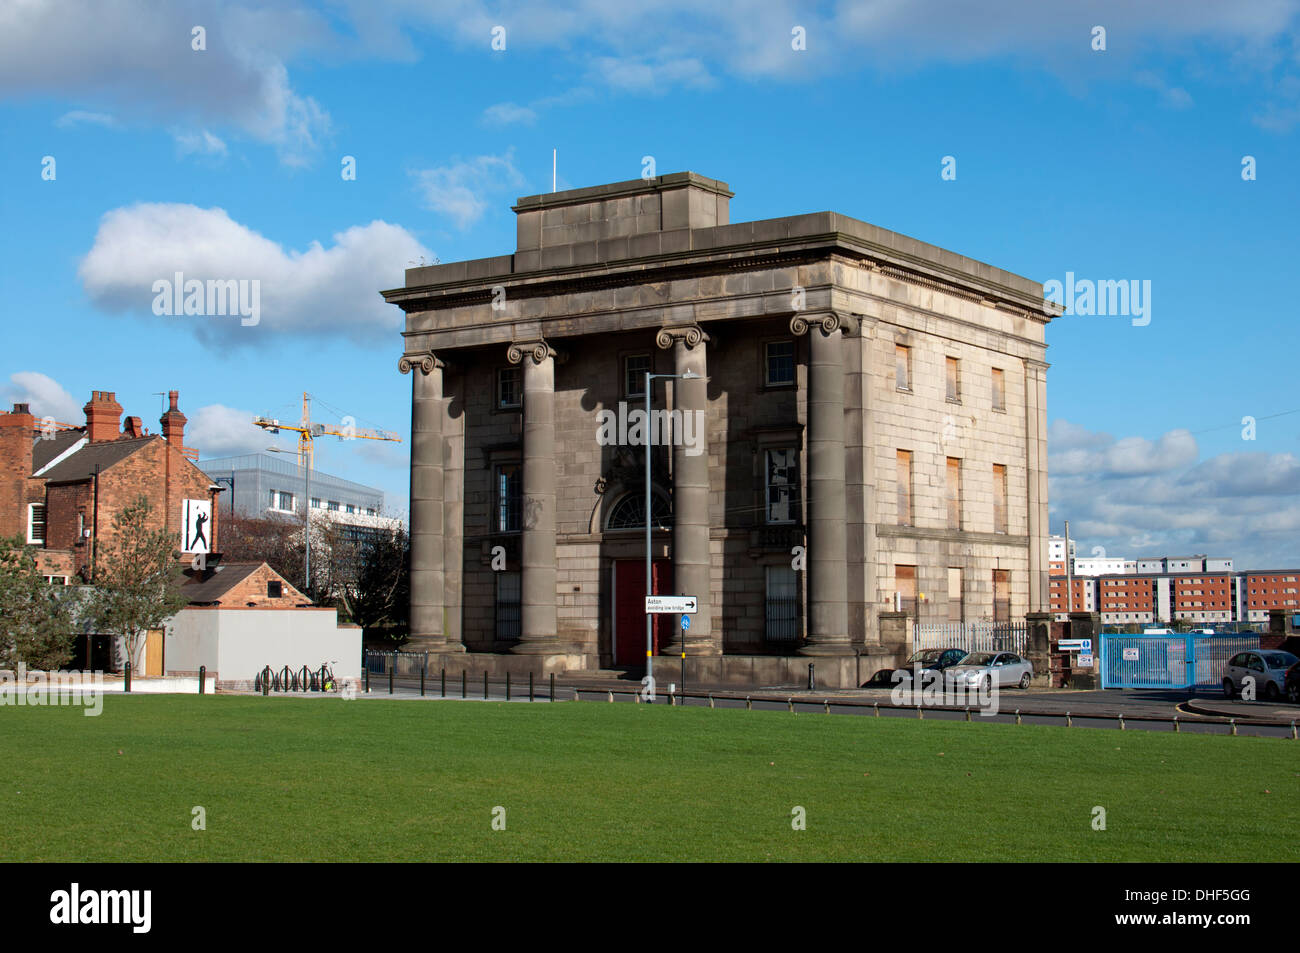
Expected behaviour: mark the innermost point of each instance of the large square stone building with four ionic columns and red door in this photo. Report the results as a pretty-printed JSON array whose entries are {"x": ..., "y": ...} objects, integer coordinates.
[{"x": 864, "y": 441}]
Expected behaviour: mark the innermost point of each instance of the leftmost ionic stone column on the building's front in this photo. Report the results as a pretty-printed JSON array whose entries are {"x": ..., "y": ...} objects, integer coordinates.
[{"x": 427, "y": 517}]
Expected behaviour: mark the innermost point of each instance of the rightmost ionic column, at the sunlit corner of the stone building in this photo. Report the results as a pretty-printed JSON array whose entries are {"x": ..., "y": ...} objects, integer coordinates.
[{"x": 829, "y": 573}]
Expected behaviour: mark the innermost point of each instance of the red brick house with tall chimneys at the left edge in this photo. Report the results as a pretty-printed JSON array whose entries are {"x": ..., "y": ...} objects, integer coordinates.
[{"x": 62, "y": 488}]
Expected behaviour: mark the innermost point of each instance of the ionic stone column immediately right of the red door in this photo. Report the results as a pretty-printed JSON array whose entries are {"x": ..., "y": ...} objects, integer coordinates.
[{"x": 692, "y": 562}]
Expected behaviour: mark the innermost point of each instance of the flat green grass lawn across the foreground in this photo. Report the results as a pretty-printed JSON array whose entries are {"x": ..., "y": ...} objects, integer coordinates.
[{"x": 378, "y": 781}]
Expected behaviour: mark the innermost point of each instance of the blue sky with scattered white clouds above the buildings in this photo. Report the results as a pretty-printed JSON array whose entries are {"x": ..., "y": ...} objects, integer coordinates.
[{"x": 1136, "y": 141}]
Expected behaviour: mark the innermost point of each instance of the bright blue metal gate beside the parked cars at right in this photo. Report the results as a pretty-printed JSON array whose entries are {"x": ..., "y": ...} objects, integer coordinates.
[{"x": 1169, "y": 661}]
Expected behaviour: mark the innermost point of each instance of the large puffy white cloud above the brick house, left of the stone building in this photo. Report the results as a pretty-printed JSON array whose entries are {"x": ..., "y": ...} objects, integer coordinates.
[{"x": 319, "y": 291}]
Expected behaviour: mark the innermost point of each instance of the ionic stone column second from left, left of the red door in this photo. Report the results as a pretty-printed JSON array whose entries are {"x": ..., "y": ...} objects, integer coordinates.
[{"x": 539, "y": 626}]
